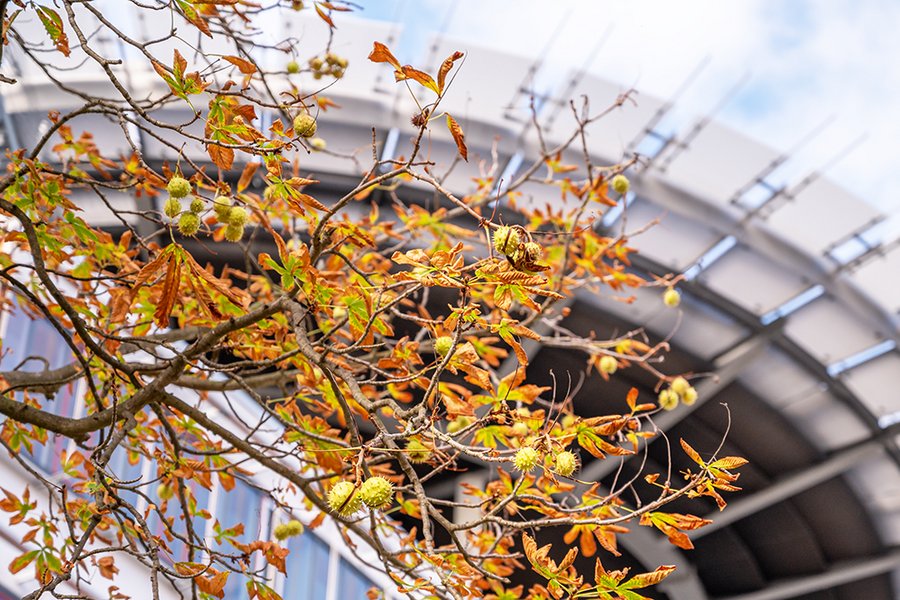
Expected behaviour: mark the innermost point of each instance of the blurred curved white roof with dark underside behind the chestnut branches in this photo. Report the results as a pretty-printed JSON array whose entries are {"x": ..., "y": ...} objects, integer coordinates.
[{"x": 790, "y": 302}]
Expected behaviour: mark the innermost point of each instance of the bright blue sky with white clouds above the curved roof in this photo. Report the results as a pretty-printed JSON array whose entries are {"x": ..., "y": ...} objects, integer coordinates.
[{"x": 803, "y": 66}]
